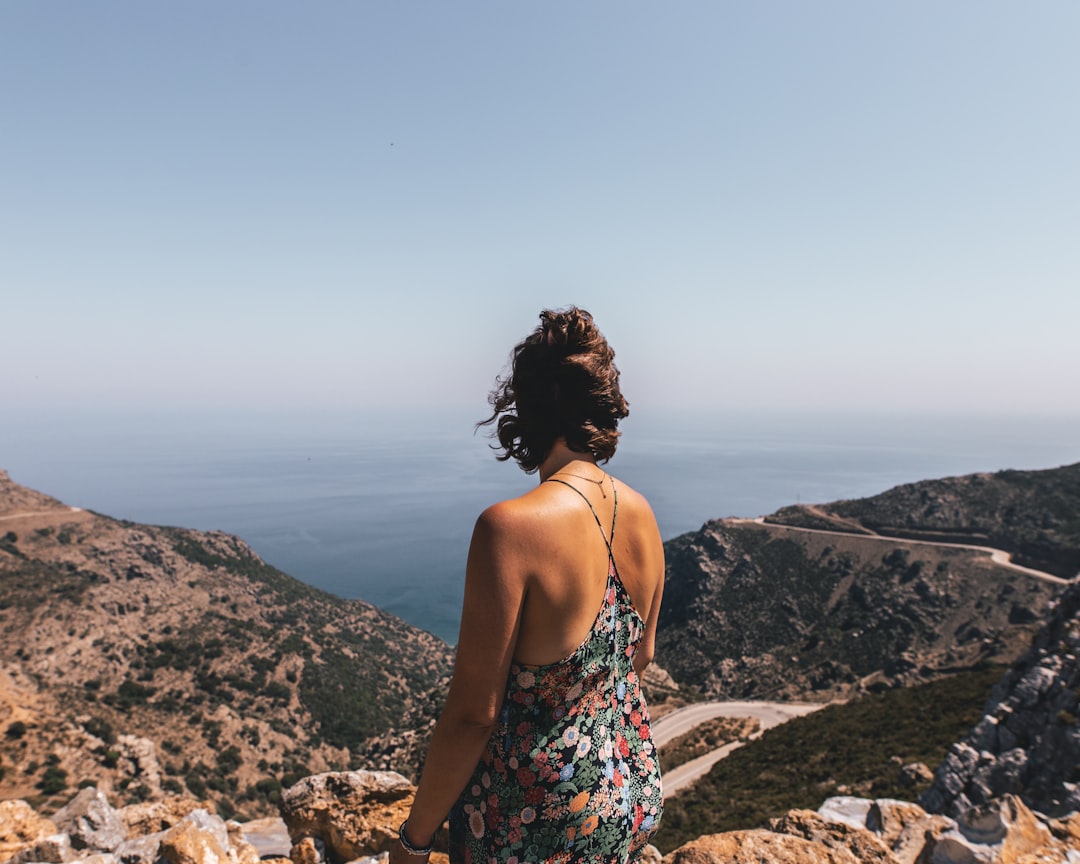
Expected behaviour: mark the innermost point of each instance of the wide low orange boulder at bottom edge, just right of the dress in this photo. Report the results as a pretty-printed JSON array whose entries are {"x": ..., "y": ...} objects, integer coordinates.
[{"x": 755, "y": 847}]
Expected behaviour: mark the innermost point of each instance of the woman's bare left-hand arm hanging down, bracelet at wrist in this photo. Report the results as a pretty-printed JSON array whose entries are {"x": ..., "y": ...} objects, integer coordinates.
[{"x": 495, "y": 592}]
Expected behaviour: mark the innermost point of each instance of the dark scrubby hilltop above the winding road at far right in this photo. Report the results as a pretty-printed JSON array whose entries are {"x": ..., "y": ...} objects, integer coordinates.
[{"x": 1033, "y": 515}]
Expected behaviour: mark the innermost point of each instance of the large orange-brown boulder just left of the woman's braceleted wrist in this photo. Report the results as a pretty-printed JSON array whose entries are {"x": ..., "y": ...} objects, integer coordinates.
[{"x": 355, "y": 814}]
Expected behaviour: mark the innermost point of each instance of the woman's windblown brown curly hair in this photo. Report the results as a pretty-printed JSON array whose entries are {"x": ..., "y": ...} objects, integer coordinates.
[{"x": 563, "y": 383}]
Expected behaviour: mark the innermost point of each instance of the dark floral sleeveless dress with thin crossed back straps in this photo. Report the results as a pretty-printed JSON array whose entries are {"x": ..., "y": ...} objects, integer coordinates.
[{"x": 571, "y": 773}]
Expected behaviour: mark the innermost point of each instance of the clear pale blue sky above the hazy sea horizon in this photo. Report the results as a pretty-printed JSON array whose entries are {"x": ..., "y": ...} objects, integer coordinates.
[{"x": 852, "y": 207}]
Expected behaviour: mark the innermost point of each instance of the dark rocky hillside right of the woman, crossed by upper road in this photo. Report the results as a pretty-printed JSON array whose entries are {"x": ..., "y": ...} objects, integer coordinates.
[{"x": 773, "y": 611}]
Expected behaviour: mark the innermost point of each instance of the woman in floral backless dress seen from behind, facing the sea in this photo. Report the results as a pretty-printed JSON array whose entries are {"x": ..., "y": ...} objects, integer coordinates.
[{"x": 543, "y": 752}]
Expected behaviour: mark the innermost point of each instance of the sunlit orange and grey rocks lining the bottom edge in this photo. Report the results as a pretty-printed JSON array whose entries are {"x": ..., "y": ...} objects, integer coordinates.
[{"x": 353, "y": 817}]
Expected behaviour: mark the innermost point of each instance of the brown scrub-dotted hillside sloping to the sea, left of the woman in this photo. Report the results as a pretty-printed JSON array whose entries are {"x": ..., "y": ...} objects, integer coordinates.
[{"x": 152, "y": 659}]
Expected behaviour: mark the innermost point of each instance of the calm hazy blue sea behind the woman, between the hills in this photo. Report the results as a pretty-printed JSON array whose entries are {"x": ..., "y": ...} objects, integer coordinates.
[{"x": 381, "y": 506}]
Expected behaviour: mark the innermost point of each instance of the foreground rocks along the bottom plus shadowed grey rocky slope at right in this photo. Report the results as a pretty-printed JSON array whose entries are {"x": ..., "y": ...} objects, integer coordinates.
[{"x": 1006, "y": 795}]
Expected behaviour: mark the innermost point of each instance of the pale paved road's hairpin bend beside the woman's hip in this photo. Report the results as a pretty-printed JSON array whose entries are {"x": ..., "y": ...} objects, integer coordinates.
[{"x": 671, "y": 726}]
